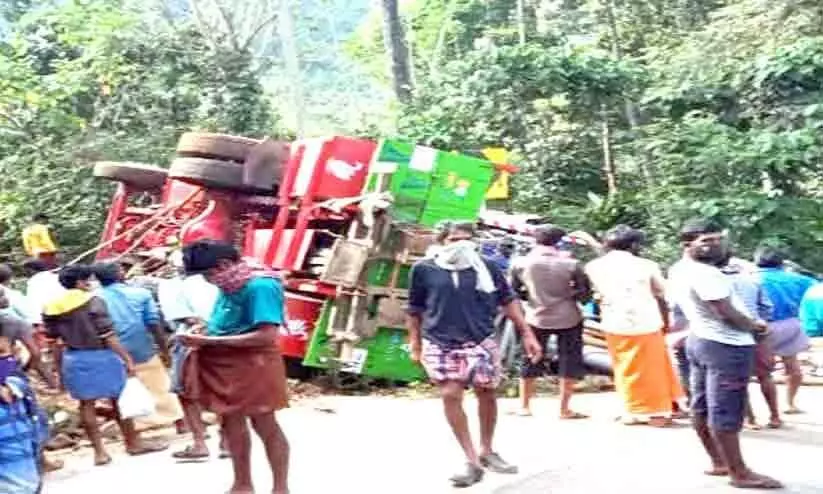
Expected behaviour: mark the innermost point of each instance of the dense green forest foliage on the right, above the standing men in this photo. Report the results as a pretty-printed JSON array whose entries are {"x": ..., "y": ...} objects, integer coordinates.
[{"x": 713, "y": 108}]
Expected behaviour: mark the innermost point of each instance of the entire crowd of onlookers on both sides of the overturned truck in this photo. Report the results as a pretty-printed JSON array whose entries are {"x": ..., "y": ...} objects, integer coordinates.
[{"x": 682, "y": 345}]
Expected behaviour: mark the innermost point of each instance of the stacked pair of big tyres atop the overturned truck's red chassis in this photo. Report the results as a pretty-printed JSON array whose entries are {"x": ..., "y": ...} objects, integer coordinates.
[{"x": 217, "y": 161}]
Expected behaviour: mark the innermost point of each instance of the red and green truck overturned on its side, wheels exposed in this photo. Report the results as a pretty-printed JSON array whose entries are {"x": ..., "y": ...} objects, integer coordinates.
[{"x": 343, "y": 219}]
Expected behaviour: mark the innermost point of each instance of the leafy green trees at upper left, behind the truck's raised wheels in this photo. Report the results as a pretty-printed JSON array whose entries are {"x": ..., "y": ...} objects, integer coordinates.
[{"x": 89, "y": 81}]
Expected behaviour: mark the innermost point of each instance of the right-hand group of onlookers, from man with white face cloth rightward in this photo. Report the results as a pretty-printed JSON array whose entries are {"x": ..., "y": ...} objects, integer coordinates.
[{"x": 682, "y": 345}]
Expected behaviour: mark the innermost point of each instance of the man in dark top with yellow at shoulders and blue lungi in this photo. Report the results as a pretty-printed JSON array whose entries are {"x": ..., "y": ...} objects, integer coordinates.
[{"x": 94, "y": 364}]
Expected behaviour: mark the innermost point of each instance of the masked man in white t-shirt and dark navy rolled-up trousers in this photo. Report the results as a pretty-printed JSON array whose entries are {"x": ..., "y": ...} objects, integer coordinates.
[{"x": 721, "y": 350}]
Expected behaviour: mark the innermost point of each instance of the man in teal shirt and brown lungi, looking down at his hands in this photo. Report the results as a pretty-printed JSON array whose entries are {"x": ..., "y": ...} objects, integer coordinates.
[{"x": 235, "y": 369}]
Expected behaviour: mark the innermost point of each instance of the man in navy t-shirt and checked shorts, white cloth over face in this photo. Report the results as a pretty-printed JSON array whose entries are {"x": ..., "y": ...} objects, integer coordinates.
[{"x": 453, "y": 299}]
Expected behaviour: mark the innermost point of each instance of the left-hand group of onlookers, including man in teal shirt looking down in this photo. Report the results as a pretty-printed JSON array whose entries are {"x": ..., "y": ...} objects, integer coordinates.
[{"x": 205, "y": 341}]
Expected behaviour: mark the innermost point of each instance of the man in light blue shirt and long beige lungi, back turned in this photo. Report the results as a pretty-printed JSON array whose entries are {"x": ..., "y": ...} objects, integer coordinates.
[{"x": 139, "y": 328}]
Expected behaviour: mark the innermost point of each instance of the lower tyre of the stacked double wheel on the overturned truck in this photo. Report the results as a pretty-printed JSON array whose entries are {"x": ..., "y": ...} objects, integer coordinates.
[{"x": 218, "y": 174}]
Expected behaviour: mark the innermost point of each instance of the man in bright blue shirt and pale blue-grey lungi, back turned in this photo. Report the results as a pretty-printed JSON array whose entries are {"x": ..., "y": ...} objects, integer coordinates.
[{"x": 786, "y": 337}]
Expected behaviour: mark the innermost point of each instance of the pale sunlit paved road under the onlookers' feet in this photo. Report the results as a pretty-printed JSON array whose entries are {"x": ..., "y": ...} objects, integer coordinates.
[{"x": 381, "y": 445}]
